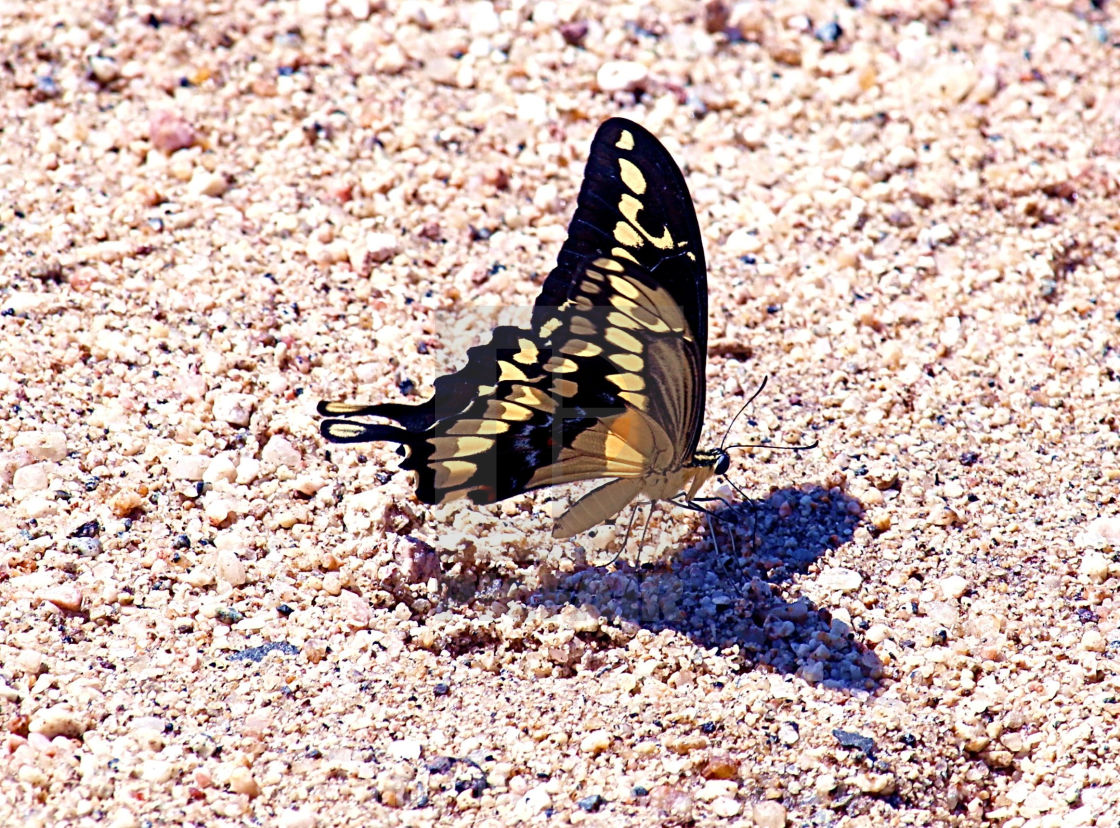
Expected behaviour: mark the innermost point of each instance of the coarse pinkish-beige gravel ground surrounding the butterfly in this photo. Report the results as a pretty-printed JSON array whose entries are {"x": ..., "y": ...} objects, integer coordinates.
[{"x": 214, "y": 215}]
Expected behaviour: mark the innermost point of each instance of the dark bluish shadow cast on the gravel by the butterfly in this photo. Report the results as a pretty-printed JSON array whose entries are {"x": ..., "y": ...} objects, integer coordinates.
[{"x": 736, "y": 597}]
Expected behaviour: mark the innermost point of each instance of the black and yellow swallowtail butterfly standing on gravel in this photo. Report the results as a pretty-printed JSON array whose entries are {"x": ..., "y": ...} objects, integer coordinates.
[{"x": 609, "y": 379}]
